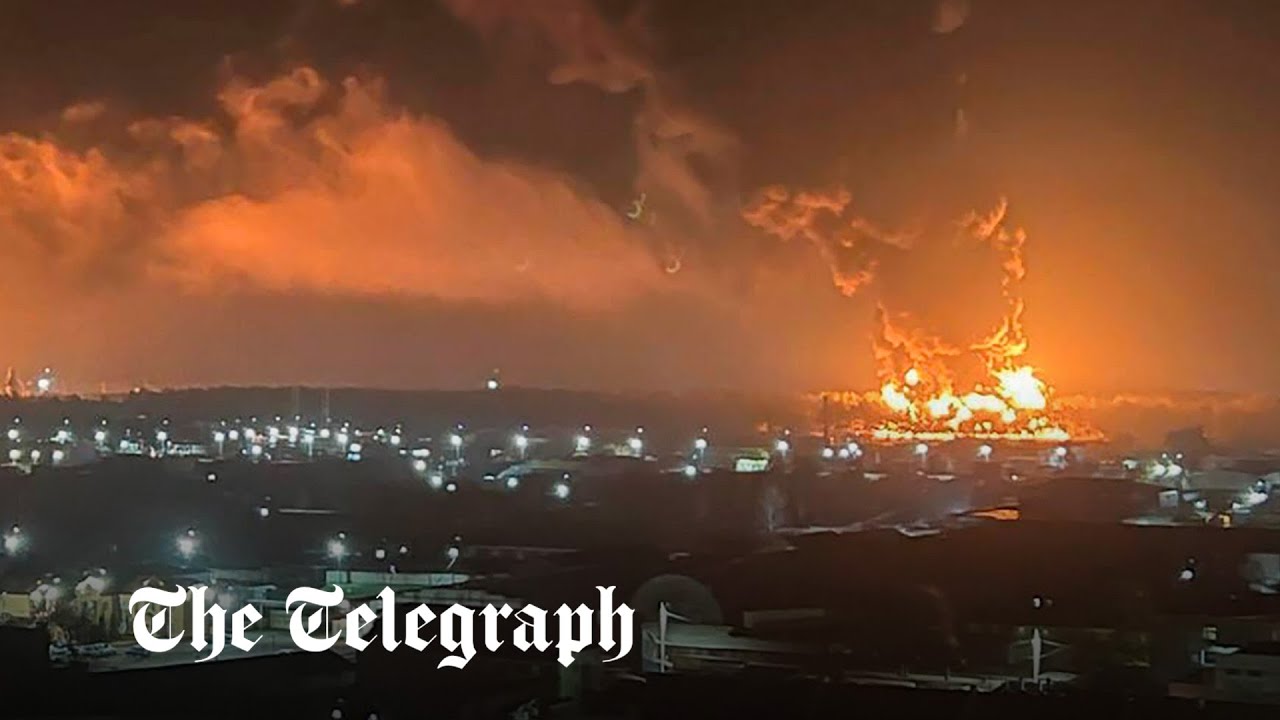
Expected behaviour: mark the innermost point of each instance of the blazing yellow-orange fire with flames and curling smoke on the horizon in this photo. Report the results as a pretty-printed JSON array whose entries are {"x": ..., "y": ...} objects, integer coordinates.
[{"x": 921, "y": 398}]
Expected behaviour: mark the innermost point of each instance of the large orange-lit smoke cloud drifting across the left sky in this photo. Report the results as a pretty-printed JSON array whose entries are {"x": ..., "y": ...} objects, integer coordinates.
[{"x": 308, "y": 185}]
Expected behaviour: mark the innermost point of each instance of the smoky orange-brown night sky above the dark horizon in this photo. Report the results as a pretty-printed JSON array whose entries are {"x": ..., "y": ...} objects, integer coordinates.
[{"x": 410, "y": 194}]
